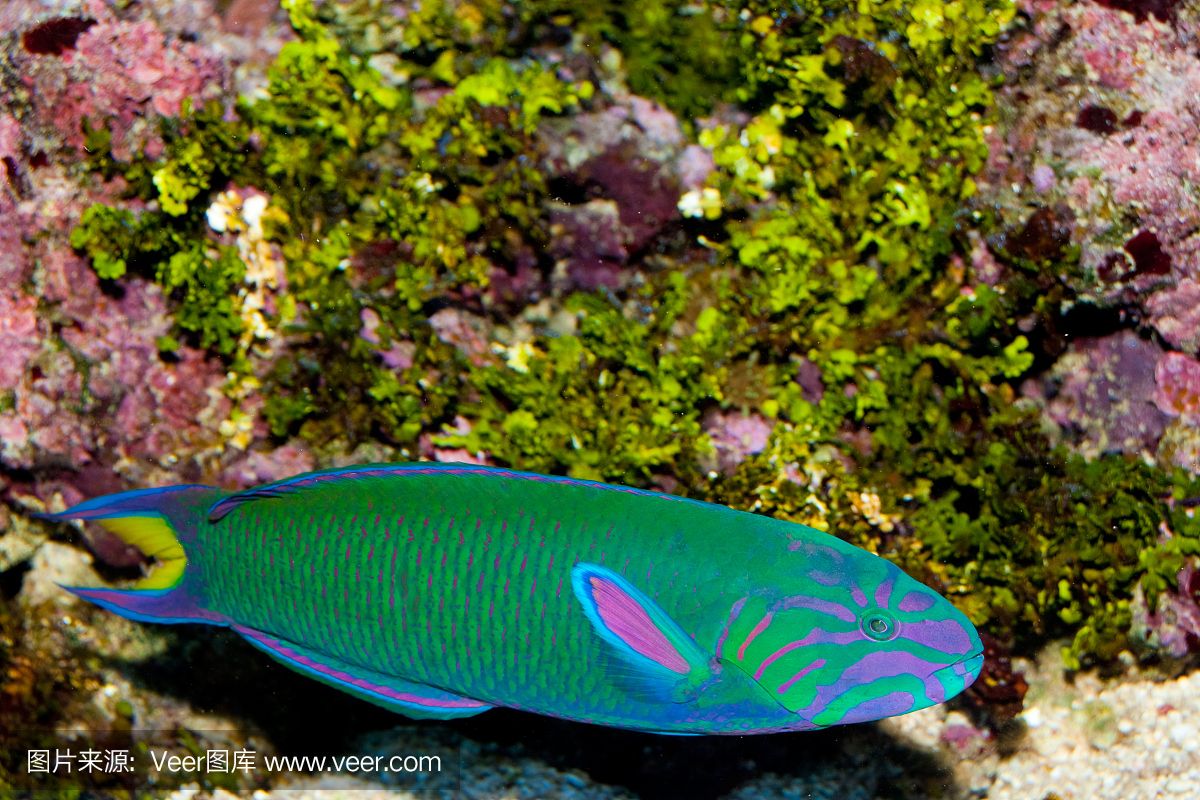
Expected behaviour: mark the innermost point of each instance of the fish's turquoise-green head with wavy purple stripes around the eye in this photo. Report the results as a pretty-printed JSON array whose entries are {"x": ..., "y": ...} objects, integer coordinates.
[{"x": 849, "y": 637}]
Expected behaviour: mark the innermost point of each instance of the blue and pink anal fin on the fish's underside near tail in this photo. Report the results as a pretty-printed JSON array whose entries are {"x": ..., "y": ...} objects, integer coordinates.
[{"x": 411, "y": 699}]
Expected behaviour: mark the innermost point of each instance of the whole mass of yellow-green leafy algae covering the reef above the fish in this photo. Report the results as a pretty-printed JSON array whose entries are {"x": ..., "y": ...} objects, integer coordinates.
[{"x": 401, "y": 157}]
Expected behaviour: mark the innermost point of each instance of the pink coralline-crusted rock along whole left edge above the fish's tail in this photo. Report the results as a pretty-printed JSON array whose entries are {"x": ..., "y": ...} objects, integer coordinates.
[{"x": 85, "y": 390}]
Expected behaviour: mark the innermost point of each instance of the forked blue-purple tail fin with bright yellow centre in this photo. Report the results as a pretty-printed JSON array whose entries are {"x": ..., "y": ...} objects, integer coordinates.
[{"x": 159, "y": 522}]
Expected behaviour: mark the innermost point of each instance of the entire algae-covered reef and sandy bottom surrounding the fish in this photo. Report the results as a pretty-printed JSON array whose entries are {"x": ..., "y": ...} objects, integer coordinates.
[{"x": 922, "y": 275}]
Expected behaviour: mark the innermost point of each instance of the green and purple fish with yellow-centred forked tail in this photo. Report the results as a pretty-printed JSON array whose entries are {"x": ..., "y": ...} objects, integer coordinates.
[{"x": 443, "y": 591}]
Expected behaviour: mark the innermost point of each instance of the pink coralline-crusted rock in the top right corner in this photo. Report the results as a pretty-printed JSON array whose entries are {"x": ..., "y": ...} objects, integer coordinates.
[{"x": 1101, "y": 115}]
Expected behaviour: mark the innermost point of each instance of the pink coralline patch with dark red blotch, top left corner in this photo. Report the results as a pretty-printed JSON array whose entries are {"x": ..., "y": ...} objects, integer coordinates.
[{"x": 99, "y": 70}]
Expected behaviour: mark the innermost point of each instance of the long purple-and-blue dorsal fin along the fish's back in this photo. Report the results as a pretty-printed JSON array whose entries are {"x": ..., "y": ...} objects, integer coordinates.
[{"x": 298, "y": 483}]
